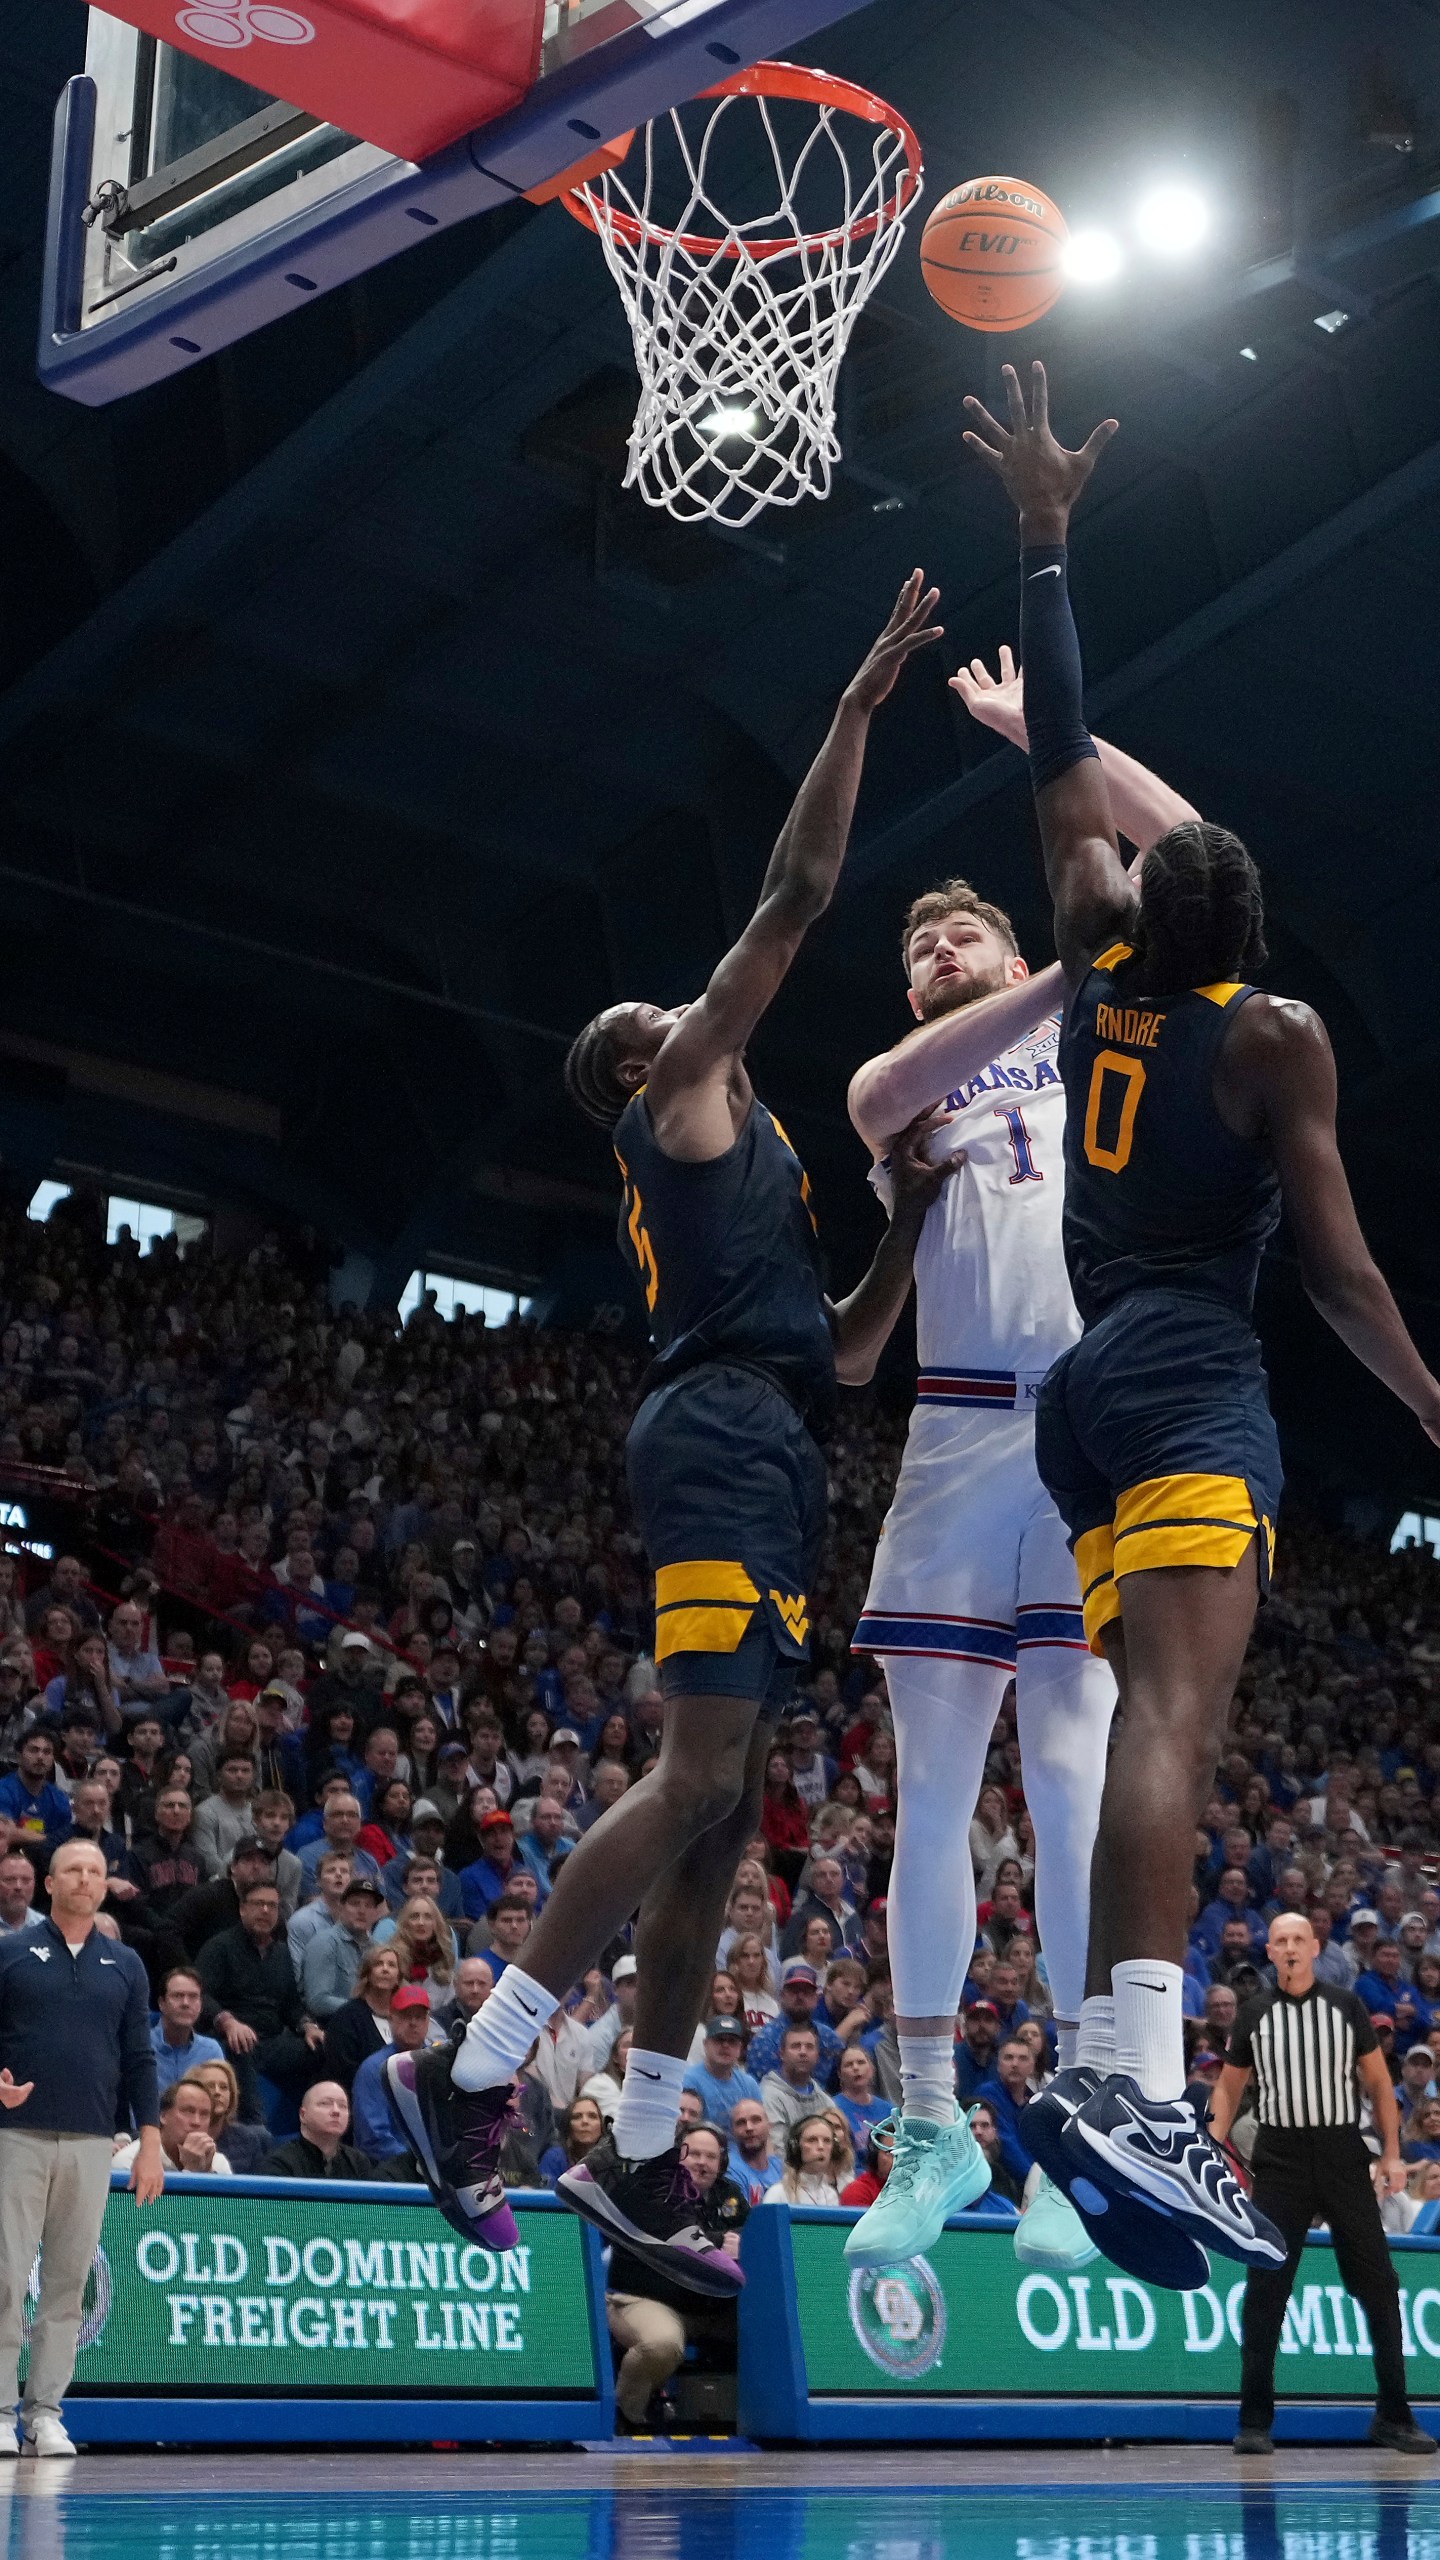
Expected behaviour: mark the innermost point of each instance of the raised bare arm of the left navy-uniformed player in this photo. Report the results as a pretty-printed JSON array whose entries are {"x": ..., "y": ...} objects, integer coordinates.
[{"x": 803, "y": 872}]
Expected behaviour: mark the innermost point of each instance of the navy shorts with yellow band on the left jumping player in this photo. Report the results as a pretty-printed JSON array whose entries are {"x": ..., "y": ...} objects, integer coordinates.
[{"x": 732, "y": 1501}]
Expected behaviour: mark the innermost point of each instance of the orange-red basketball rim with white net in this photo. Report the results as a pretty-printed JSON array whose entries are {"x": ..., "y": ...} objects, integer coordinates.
[{"x": 742, "y": 324}]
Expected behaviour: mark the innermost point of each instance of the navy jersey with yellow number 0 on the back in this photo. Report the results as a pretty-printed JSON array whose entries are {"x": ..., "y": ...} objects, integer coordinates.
[{"x": 1159, "y": 1192}]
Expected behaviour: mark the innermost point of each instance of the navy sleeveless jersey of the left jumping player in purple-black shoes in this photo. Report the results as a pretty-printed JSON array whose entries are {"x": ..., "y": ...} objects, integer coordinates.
[{"x": 729, "y": 1258}]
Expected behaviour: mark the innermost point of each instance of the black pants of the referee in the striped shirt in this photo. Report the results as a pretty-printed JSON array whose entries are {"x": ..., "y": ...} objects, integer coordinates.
[{"x": 1300, "y": 2177}]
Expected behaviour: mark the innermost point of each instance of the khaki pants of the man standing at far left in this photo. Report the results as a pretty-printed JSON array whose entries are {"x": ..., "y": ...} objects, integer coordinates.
[{"x": 53, "y": 2200}]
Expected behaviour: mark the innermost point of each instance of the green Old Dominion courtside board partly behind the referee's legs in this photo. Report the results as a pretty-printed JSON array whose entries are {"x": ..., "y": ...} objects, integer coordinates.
[{"x": 967, "y": 2323}]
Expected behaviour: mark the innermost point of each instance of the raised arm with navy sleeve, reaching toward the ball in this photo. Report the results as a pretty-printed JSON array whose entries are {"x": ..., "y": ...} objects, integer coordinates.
[{"x": 1077, "y": 828}]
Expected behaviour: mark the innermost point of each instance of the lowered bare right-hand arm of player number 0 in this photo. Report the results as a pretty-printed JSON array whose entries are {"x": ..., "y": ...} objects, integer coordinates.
[{"x": 1277, "y": 1069}]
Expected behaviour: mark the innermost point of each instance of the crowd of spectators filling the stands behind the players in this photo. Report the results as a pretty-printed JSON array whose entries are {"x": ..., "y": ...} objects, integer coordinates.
[{"x": 350, "y": 1642}]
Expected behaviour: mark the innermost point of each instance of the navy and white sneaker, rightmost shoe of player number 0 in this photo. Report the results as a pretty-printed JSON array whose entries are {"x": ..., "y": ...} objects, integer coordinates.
[{"x": 1136, "y": 2147}]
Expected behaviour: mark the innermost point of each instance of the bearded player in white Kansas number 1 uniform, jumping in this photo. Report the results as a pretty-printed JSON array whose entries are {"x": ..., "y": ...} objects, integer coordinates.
[{"x": 972, "y": 1581}]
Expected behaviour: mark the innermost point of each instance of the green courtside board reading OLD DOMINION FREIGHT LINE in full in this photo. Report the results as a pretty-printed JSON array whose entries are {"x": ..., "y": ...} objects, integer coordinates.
[{"x": 281, "y": 2292}]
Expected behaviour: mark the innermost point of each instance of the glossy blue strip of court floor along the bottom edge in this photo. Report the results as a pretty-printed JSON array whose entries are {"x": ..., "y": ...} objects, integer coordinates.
[{"x": 1039, "y": 2520}]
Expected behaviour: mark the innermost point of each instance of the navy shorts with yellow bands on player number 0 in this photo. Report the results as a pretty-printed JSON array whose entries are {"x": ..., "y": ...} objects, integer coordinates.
[{"x": 1157, "y": 1445}]
